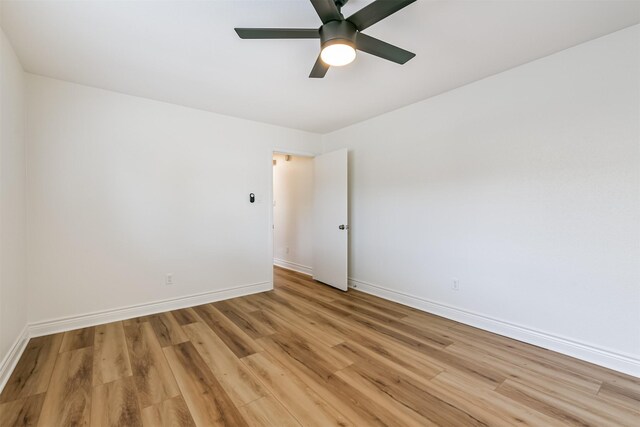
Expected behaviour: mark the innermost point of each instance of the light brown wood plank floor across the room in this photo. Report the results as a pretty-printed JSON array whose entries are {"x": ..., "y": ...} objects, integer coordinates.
[{"x": 306, "y": 354}]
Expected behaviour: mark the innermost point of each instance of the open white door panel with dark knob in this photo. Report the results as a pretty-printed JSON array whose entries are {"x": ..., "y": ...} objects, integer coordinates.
[{"x": 330, "y": 237}]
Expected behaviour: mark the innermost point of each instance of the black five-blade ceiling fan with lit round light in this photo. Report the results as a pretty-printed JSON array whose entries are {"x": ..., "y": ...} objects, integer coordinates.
[{"x": 340, "y": 36}]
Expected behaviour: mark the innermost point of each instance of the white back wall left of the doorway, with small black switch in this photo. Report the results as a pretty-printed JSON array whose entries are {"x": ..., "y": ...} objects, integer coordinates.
[{"x": 123, "y": 190}]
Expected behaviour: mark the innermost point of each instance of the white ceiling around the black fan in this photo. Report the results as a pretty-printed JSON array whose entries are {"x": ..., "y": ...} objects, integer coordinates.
[{"x": 186, "y": 52}]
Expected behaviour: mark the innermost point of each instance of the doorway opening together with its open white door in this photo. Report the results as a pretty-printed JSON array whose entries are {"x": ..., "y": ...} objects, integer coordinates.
[{"x": 308, "y": 227}]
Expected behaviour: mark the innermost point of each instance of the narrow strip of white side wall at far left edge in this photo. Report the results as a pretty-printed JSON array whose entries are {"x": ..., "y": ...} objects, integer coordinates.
[{"x": 13, "y": 292}]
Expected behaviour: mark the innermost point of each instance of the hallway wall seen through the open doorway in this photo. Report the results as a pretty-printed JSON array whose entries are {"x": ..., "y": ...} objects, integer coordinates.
[{"x": 293, "y": 212}]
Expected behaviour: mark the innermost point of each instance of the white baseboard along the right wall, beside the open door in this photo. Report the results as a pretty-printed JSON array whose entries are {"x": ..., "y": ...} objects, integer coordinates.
[{"x": 625, "y": 363}]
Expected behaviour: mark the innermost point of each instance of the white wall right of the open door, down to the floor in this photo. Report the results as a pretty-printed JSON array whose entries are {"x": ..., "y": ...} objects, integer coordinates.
[{"x": 525, "y": 187}]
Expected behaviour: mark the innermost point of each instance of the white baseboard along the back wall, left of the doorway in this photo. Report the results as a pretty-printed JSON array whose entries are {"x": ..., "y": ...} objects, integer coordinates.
[{"x": 106, "y": 316}]
